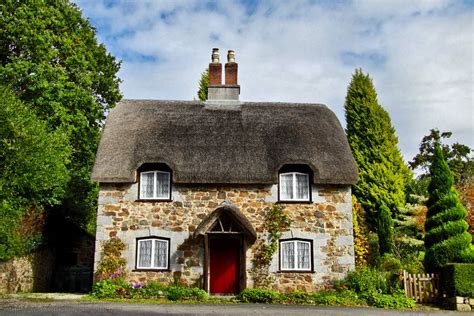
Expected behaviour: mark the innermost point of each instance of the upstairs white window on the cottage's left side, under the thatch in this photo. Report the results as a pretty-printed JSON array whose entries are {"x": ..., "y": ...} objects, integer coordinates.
[{"x": 155, "y": 185}]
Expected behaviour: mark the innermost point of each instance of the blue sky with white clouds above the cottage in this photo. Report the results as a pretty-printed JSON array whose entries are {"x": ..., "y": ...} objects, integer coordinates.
[{"x": 418, "y": 53}]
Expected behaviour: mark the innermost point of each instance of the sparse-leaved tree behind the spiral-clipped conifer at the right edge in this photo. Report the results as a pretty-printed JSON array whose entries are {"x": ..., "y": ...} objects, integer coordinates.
[{"x": 457, "y": 155}]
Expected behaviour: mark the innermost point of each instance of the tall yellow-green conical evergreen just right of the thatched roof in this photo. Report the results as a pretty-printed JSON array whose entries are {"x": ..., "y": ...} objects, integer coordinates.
[{"x": 383, "y": 174}]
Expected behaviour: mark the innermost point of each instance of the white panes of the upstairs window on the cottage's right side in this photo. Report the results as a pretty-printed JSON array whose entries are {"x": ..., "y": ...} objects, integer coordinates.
[{"x": 294, "y": 186}]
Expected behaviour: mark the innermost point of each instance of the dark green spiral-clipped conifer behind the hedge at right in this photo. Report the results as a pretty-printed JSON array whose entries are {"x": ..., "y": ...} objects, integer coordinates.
[{"x": 446, "y": 239}]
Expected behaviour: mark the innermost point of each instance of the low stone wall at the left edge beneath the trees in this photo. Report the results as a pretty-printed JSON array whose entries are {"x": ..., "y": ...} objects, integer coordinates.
[{"x": 27, "y": 274}]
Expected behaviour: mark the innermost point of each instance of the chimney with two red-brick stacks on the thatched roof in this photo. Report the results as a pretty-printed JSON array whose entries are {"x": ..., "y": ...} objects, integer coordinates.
[{"x": 218, "y": 92}]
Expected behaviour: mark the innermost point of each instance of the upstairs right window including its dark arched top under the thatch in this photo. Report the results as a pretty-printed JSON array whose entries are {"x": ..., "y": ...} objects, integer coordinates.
[{"x": 294, "y": 184}]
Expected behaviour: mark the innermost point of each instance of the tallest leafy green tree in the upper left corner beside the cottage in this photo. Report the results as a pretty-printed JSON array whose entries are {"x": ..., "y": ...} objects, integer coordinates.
[{"x": 50, "y": 57}]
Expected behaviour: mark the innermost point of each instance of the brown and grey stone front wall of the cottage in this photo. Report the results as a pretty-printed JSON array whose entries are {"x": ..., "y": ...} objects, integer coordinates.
[{"x": 327, "y": 221}]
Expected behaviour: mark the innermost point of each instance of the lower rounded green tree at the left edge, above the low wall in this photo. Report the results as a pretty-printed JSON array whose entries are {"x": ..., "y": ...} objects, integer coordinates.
[{"x": 33, "y": 172}]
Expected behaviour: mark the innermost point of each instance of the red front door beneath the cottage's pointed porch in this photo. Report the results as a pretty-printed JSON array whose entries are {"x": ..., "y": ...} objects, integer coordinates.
[{"x": 224, "y": 265}]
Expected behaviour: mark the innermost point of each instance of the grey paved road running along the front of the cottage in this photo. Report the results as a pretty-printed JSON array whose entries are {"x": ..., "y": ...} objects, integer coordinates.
[{"x": 20, "y": 307}]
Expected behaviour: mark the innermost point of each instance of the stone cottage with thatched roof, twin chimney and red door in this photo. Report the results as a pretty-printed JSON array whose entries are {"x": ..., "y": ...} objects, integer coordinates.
[{"x": 186, "y": 185}]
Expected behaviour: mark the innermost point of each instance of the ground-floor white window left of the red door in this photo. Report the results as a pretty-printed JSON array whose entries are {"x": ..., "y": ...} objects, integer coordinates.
[{"x": 152, "y": 253}]
